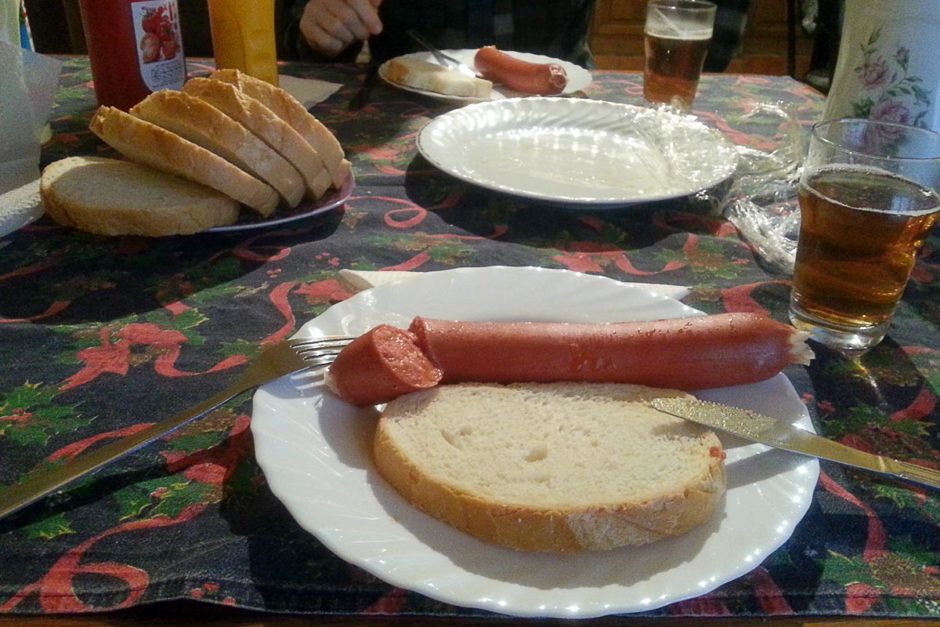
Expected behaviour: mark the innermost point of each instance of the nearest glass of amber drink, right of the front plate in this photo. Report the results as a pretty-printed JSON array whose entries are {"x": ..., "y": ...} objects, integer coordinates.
[{"x": 860, "y": 232}]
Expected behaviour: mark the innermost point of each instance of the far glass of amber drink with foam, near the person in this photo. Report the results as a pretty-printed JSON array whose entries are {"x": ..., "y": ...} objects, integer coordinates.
[{"x": 676, "y": 38}]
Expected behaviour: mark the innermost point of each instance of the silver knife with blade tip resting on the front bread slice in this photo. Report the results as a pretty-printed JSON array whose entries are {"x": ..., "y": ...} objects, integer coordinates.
[{"x": 753, "y": 426}]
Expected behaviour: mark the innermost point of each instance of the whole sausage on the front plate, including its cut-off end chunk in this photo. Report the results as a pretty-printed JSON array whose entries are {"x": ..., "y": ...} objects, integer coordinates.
[{"x": 685, "y": 353}]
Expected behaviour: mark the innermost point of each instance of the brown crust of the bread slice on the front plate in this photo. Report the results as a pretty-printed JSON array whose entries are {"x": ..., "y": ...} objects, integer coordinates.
[{"x": 674, "y": 510}]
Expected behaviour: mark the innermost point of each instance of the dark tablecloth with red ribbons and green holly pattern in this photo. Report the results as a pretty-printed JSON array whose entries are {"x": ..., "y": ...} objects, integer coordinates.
[{"x": 100, "y": 337}]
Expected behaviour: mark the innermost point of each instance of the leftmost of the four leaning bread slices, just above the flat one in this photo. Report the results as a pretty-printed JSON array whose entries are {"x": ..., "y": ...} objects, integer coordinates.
[{"x": 159, "y": 148}]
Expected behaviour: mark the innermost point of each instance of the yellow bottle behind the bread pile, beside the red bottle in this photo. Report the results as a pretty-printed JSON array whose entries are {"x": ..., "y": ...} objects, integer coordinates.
[{"x": 243, "y": 37}]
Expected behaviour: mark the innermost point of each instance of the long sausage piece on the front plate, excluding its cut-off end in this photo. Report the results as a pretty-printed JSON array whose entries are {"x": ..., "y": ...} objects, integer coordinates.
[{"x": 685, "y": 353}]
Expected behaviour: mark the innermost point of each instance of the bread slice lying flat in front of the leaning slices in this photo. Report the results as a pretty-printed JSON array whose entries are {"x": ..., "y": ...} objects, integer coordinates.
[{"x": 117, "y": 197}]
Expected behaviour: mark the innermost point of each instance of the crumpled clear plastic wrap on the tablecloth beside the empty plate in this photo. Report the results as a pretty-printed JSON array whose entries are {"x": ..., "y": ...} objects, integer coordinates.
[{"x": 763, "y": 200}]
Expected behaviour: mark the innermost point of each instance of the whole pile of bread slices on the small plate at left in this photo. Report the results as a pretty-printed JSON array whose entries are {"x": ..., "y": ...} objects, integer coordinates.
[{"x": 193, "y": 158}]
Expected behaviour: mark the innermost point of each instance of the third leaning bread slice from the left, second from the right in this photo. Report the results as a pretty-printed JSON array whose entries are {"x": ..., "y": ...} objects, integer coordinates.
[{"x": 264, "y": 123}]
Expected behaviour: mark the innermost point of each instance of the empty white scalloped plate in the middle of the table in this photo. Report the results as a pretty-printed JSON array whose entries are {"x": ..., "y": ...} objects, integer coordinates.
[{"x": 578, "y": 152}]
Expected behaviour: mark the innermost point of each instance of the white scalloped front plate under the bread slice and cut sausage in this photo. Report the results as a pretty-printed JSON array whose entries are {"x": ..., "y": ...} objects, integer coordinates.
[{"x": 315, "y": 453}]
